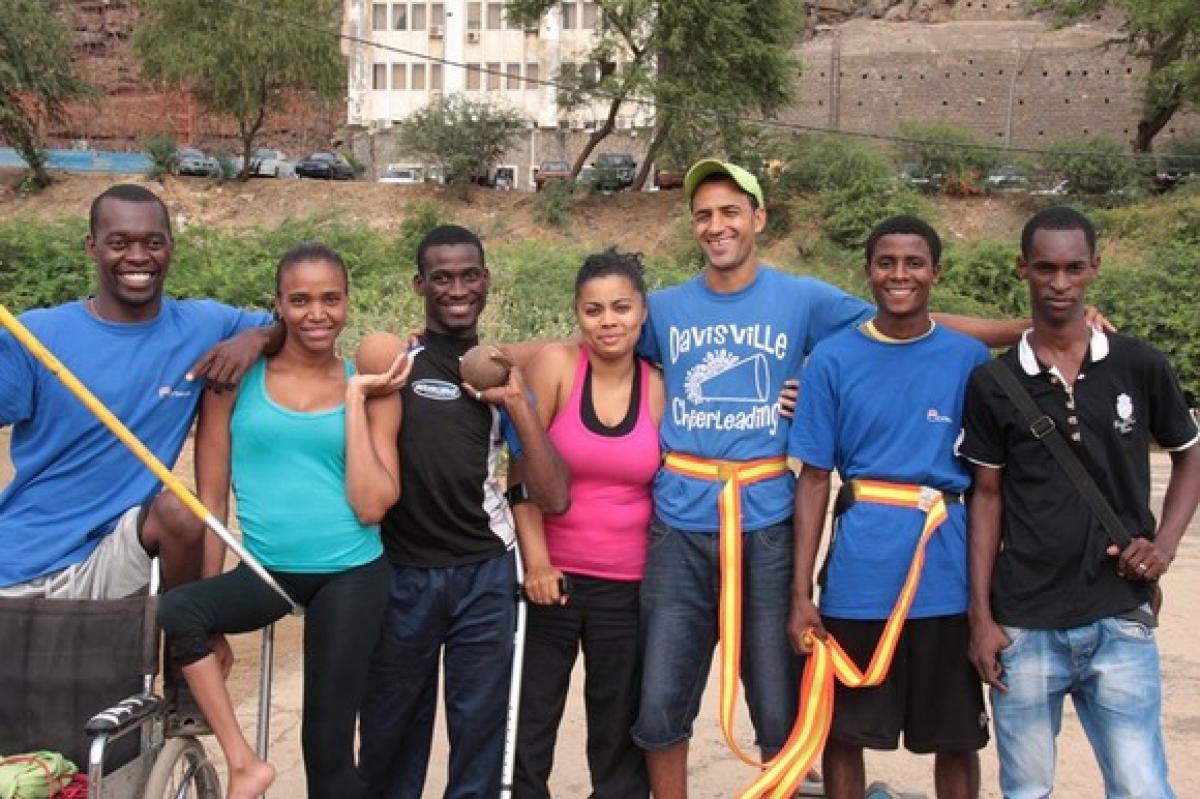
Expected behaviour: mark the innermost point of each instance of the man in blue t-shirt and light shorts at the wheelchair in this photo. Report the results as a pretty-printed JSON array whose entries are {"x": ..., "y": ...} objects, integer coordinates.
[{"x": 82, "y": 516}]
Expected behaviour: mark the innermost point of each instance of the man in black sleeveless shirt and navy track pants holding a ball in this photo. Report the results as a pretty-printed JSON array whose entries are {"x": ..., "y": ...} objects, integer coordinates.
[{"x": 451, "y": 542}]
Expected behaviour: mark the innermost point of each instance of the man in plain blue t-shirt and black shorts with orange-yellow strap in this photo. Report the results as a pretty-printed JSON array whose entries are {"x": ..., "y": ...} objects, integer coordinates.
[{"x": 883, "y": 404}]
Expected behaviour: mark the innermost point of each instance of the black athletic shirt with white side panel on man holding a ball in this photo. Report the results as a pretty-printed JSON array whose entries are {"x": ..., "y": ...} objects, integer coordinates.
[{"x": 452, "y": 510}]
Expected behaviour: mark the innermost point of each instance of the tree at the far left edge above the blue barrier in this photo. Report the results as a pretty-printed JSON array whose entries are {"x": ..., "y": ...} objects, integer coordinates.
[{"x": 35, "y": 79}]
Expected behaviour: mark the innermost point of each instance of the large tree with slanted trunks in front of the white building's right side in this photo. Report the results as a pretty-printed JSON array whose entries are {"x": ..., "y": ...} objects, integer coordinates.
[{"x": 704, "y": 62}]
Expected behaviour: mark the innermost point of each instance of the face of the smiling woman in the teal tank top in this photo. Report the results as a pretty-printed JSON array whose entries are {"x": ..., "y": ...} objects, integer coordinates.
[{"x": 313, "y": 304}]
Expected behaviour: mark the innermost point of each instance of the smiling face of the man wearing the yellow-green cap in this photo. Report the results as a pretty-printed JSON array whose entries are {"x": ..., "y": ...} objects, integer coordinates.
[{"x": 725, "y": 225}]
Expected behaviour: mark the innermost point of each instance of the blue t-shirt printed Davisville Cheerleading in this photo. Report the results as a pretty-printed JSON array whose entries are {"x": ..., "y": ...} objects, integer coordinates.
[{"x": 725, "y": 358}]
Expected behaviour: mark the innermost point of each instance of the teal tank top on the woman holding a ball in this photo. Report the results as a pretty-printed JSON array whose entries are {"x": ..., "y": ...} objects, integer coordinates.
[{"x": 290, "y": 480}]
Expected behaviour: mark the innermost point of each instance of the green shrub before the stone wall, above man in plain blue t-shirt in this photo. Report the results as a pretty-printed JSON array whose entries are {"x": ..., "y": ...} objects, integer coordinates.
[{"x": 951, "y": 152}]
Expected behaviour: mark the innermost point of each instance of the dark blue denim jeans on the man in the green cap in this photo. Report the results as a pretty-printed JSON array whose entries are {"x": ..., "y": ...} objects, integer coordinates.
[{"x": 680, "y": 600}]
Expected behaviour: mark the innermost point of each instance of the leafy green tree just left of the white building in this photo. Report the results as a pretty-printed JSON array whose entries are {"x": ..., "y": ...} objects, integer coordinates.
[{"x": 242, "y": 63}]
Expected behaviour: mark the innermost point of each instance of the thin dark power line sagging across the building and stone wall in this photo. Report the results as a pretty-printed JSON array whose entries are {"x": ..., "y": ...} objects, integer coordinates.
[{"x": 796, "y": 128}]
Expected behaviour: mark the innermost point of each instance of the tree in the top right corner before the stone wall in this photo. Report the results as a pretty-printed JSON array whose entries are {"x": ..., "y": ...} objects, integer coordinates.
[{"x": 1163, "y": 33}]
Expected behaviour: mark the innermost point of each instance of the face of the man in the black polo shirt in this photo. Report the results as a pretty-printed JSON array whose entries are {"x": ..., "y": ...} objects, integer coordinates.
[{"x": 1059, "y": 268}]
